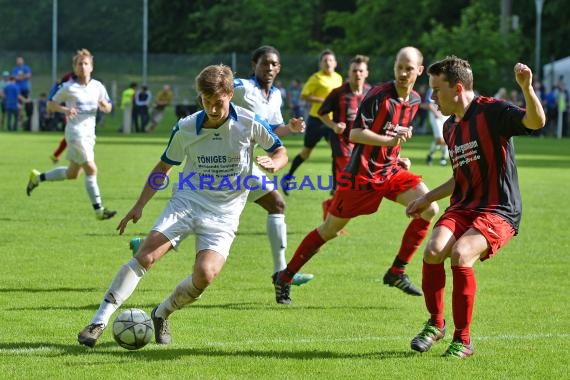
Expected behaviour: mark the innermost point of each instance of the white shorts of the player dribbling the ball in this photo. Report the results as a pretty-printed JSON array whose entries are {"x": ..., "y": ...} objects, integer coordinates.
[{"x": 182, "y": 217}]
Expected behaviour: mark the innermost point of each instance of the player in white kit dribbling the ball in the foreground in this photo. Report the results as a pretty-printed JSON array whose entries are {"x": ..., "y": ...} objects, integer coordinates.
[{"x": 217, "y": 144}]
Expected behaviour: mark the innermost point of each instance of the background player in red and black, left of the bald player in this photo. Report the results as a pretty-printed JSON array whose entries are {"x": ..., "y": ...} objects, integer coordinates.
[{"x": 343, "y": 103}]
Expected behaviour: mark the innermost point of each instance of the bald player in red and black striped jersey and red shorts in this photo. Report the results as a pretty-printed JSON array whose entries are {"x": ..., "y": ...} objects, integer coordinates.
[{"x": 374, "y": 172}]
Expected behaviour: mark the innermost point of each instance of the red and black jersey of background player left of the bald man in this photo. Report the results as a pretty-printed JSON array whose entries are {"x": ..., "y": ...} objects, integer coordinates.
[{"x": 343, "y": 104}]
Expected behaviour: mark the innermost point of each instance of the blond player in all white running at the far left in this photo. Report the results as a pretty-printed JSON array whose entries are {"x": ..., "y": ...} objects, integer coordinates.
[{"x": 82, "y": 96}]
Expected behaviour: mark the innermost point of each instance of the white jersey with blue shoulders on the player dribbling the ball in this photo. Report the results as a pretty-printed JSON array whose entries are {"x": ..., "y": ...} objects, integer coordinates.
[{"x": 218, "y": 161}]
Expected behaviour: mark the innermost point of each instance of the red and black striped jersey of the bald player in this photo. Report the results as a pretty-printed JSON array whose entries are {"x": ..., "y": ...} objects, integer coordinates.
[{"x": 381, "y": 112}]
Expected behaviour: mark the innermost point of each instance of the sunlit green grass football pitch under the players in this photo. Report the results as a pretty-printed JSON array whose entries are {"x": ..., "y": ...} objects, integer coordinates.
[{"x": 58, "y": 261}]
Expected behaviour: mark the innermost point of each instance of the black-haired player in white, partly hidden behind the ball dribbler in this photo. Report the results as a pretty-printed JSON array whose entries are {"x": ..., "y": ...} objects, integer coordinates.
[{"x": 258, "y": 94}]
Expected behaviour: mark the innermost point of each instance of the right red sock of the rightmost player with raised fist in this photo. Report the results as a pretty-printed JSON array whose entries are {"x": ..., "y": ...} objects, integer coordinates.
[{"x": 463, "y": 299}]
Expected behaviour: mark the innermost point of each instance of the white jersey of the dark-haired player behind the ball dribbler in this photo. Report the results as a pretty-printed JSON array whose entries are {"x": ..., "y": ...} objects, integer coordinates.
[{"x": 248, "y": 94}]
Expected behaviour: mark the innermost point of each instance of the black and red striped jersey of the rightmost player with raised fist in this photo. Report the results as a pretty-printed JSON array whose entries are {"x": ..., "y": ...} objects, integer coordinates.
[{"x": 481, "y": 149}]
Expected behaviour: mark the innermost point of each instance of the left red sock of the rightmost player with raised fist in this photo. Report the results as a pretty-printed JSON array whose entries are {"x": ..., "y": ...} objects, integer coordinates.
[{"x": 433, "y": 285}]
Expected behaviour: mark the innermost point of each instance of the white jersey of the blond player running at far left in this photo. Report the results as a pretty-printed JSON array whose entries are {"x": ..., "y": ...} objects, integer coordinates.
[{"x": 85, "y": 98}]
